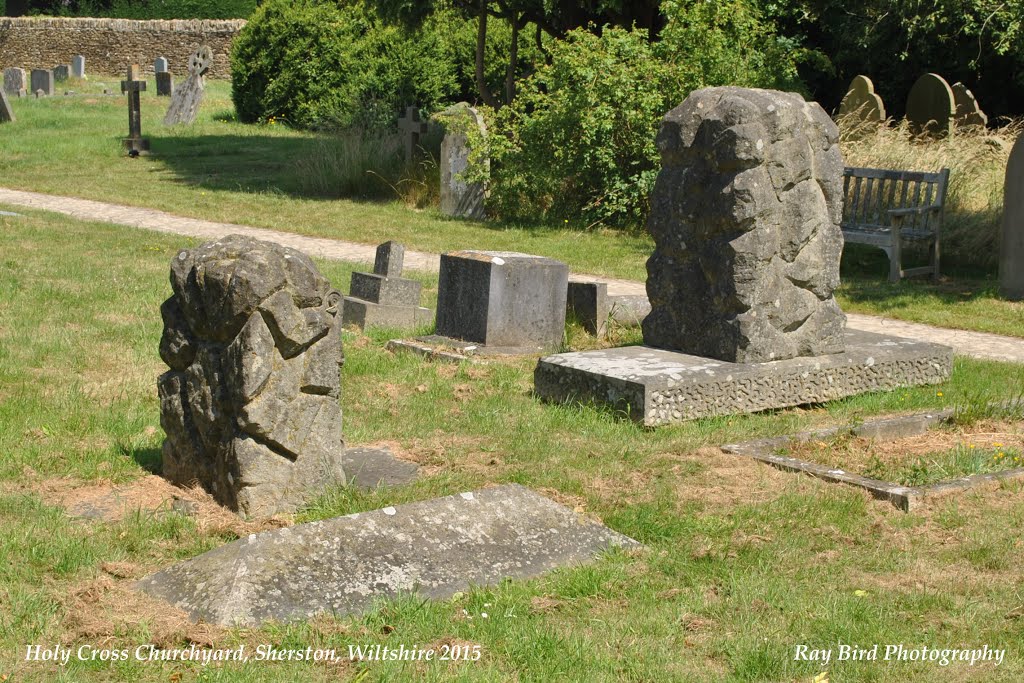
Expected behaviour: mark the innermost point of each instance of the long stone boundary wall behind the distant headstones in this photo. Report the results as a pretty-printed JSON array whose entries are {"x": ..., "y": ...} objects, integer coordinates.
[{"x": 111, "y": 46}]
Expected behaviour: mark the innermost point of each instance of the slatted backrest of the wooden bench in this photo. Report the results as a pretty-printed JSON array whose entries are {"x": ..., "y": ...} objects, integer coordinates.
[{"x": 871, "y": 193}]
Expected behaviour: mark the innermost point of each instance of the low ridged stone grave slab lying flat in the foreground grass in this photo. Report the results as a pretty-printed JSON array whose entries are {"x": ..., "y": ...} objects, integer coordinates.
[{"x": 436, "y": 549}]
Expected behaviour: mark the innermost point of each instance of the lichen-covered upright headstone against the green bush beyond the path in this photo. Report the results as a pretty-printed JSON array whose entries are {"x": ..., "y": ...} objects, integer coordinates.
[{"x": 463, "y": 197}]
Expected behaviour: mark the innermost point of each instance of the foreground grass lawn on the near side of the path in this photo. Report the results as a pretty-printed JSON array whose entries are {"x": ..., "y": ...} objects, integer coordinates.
[{"x": 743, "y": 563}]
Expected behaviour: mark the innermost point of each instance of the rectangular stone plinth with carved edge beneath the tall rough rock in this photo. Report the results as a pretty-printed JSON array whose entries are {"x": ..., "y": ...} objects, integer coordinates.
[{"x": 659, "y": 388}]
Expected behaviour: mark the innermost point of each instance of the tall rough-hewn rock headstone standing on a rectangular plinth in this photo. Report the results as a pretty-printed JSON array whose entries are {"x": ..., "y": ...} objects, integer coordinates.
[{"x": 746, "y": 220}]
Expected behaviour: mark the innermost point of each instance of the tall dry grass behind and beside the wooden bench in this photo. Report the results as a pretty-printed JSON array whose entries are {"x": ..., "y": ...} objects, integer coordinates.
[{"x": 976, "y": 158}]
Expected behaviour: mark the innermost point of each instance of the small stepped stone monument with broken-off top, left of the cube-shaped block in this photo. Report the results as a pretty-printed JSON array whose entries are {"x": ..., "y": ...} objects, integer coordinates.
[{"x": 385, "y": 298}]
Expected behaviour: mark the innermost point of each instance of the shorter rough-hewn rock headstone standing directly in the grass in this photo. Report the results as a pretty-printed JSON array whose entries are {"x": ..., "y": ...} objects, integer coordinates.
[{"x": 250, "y": 406}]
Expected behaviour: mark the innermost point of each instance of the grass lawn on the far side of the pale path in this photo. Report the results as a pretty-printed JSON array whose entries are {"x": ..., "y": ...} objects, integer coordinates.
[{"x": 222, "y": 170}]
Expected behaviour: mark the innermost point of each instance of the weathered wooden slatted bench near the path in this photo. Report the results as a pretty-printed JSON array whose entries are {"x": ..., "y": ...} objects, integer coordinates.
[{"x": 886, "y": 209}]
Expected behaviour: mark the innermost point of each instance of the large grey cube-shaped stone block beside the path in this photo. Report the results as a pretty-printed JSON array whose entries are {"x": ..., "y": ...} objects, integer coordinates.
[{"x": 502, "y": 300}]
